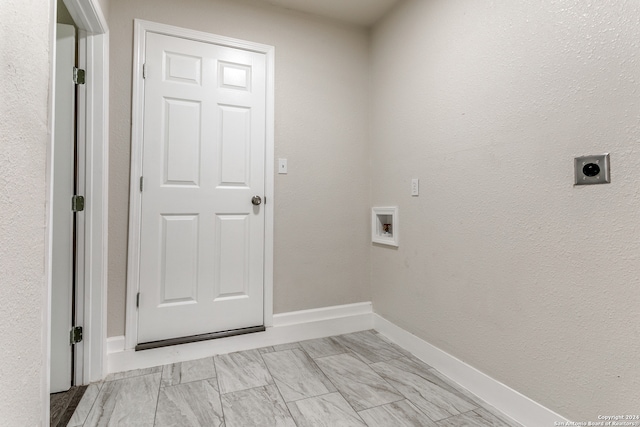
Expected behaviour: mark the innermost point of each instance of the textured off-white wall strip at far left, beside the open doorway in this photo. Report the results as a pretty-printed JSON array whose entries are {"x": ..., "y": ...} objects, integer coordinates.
[{"x": 24, "y": 137}]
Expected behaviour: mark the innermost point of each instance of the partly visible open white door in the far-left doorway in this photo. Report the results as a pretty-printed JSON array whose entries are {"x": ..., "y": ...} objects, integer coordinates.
[{"x": 64, "y": 235}]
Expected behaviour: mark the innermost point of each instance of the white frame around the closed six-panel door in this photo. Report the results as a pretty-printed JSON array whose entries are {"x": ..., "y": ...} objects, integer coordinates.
[{"x": 133, "y": 268}]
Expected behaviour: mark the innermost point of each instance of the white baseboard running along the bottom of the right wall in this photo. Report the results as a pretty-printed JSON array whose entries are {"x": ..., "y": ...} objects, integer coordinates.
[{"x": 508, "y": 401}]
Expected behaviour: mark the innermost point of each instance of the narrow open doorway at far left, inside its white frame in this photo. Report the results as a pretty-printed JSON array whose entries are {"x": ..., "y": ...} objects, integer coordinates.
[{"x": 65, "y": 331}]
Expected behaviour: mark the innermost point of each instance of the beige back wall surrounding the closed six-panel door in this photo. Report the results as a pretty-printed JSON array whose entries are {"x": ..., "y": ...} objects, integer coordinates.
[{"x": 321, "y": 212}]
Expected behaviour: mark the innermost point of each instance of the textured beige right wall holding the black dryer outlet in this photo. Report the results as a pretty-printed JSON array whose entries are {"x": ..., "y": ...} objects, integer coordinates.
[{"x": 502, "y": 262}]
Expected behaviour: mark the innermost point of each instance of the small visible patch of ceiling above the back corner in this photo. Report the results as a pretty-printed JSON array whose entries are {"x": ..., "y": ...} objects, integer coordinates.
[{"x": 360, "y": 12}]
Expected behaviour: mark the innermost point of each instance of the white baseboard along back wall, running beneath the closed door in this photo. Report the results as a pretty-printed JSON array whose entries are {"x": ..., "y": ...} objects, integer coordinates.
[{"x": 287, "y": 328}]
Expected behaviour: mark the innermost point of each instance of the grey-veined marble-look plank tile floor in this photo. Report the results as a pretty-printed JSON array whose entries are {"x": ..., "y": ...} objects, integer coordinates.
[{"x": 358, "y": 379}]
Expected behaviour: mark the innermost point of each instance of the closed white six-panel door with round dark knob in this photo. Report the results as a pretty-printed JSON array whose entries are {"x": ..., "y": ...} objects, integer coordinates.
[{"x": 201, "y": 238}]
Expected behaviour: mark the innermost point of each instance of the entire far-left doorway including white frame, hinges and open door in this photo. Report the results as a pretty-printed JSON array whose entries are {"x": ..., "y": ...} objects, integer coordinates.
[{"x": 76, "y": 250}]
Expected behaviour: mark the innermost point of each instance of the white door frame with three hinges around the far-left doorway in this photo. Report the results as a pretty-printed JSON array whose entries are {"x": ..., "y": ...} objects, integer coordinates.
[{"x": 93, "y": 154}]
